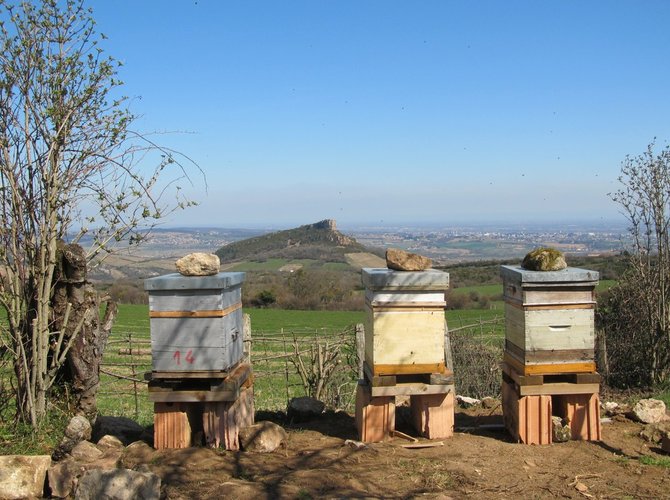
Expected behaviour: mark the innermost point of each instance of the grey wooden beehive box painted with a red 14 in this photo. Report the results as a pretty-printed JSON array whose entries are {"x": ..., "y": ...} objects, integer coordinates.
[{"x": 196, "y": 322}]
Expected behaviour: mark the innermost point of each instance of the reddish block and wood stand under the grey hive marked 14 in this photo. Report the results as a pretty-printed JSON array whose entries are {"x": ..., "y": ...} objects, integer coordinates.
[{"x": 212, "y": 404}]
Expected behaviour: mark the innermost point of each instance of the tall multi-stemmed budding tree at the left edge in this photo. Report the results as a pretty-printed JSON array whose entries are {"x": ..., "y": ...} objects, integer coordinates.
[{"x": 69, "y": 161}]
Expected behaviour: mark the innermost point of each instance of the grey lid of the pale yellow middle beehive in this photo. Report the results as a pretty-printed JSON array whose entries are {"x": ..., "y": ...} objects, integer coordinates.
[{"x": 383, "y": 278}]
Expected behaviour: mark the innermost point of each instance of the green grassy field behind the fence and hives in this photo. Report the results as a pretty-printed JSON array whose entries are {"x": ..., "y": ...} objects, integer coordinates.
[{"x": 273, "y": 334}]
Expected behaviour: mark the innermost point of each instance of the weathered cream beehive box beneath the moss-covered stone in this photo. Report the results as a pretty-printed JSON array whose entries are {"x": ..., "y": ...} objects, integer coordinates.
[{"x": 549, "y": 320}]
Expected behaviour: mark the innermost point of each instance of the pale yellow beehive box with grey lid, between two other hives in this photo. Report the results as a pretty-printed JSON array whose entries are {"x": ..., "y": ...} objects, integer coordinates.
[{"x": 405, "y": 321}]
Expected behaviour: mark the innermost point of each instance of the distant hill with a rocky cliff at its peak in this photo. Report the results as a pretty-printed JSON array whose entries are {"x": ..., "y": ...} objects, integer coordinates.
[{"x": 321, "y": 241}]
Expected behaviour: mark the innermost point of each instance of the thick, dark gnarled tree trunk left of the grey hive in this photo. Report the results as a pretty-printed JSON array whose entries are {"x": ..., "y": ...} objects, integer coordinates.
[{"x": 73, "y": 291}]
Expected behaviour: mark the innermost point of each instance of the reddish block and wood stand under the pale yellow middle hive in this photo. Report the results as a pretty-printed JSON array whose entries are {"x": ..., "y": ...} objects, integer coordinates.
[{"x": 431, "y": 402}]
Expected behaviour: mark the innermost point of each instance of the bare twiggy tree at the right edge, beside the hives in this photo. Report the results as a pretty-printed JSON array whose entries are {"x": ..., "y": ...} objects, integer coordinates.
[{"x": 638, "y": 313}]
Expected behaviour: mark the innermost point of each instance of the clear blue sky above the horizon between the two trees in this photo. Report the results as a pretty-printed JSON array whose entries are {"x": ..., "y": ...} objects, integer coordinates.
[{"x": 422, "y": 112}]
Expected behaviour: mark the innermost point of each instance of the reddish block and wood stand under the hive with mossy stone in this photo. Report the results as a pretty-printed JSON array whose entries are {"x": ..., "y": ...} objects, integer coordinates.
[{"x": 530, "y": 401}]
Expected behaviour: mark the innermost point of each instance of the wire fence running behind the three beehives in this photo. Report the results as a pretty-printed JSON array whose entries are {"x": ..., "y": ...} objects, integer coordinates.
[{"x": 323, "y": 363}]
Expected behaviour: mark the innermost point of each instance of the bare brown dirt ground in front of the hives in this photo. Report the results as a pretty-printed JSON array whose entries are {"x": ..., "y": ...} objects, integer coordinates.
[{"x": 476, "y": 463}]
